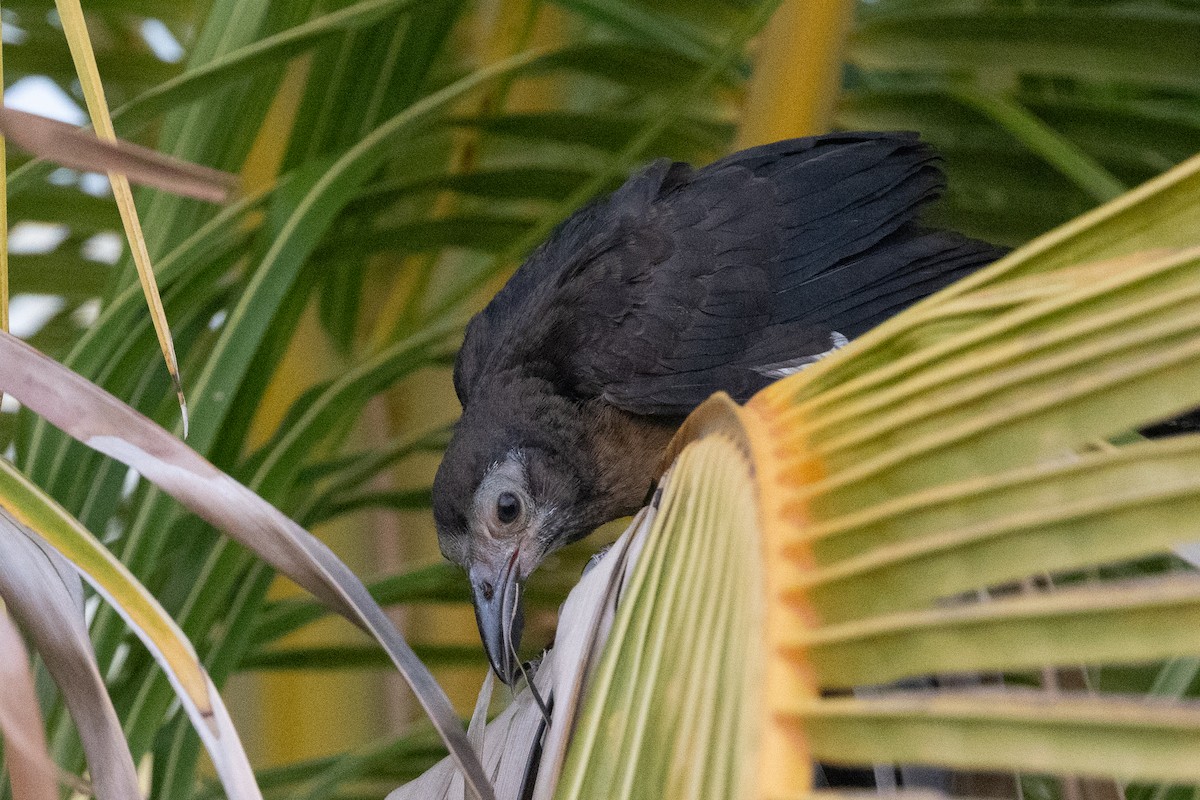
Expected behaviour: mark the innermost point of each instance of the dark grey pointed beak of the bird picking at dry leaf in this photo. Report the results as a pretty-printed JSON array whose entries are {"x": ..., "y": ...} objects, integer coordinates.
[{"x": 499, "y": 613}]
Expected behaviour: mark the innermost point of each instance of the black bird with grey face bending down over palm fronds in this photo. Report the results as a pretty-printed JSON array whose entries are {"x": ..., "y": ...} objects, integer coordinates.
[{"x": 681, "y": 284}]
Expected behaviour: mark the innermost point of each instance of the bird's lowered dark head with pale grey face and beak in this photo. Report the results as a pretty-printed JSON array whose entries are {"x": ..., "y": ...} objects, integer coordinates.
[{"x": 508, "y": 494}]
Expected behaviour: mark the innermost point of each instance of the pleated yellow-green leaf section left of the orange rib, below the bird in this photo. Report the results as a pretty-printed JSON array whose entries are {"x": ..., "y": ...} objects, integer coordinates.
[{"x": 675, "y": 706}]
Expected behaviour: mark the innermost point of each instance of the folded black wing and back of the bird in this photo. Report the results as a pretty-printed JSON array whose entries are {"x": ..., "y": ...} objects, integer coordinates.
[{"x": 687, "y": 282}]
